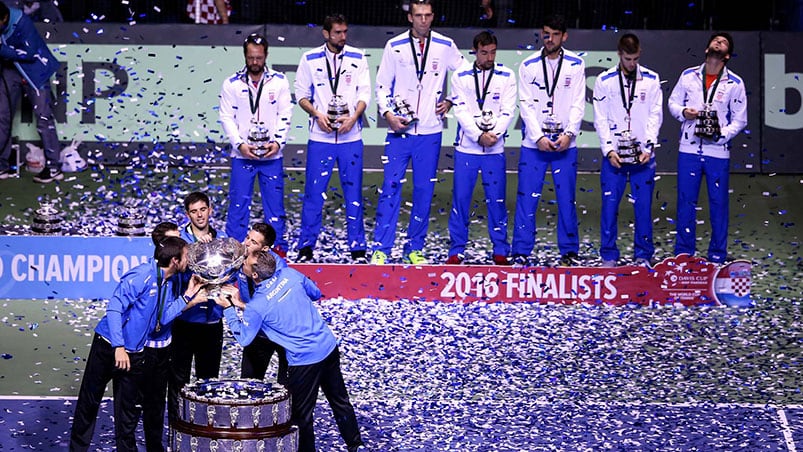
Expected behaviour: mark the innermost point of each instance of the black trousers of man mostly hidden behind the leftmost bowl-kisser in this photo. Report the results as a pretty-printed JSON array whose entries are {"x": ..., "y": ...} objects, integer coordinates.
[{"x": 154, "y": 396}]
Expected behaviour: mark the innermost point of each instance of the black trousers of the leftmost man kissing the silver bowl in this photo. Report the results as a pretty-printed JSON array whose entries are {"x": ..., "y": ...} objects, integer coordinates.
[{"x": 99, "y": 371}]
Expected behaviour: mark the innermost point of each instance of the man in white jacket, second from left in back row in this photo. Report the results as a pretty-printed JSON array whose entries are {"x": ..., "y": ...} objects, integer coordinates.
[{"x": 333, "y": 68}]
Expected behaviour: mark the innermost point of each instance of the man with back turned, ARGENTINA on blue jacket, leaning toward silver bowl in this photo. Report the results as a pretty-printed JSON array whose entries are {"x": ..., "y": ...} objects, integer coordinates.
[{"x": 282, "y": 308}]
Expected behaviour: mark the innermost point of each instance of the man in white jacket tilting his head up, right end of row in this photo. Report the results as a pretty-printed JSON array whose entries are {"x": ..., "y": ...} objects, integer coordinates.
[{"x": 710, "y": 100}]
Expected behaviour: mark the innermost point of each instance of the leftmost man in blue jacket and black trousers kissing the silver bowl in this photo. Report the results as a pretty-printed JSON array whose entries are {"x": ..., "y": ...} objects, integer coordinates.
[{"x": 142, "y": 302}]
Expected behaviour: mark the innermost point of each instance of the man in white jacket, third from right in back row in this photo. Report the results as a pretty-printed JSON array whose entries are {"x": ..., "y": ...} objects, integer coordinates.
[{"x": 552, "y": 85}]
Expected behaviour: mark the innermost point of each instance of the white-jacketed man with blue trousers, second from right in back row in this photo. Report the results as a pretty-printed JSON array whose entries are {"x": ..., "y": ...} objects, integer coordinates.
[{"x": 628, "y": 111}]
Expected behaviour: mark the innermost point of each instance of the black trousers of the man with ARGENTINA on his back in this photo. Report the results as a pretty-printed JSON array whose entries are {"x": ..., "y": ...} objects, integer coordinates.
[{"x": 303, "y": 385}]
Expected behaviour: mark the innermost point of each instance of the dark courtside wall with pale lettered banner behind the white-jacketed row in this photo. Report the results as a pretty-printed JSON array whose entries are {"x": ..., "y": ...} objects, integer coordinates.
[{"x": 149, "y": 93}]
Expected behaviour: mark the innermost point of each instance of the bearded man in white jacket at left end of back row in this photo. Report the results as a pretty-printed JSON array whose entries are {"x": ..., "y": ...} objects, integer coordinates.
[{"x": 255, "y": 110}]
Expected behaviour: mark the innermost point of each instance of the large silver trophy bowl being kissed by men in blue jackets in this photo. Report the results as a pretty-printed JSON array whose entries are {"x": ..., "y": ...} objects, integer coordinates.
[{"x": 216, "y": 262}]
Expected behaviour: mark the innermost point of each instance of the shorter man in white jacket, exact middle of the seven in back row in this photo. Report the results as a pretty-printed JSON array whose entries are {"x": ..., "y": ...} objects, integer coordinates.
[{"x": 484, "y": 98}]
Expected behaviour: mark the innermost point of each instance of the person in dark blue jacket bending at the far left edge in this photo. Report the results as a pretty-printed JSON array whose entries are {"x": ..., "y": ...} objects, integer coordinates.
[{"x": 26, "y": 64}]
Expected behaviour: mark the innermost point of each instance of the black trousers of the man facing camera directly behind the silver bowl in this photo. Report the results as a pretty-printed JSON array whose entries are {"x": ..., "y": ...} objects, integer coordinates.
[{"x": 202, "y": 341}]
